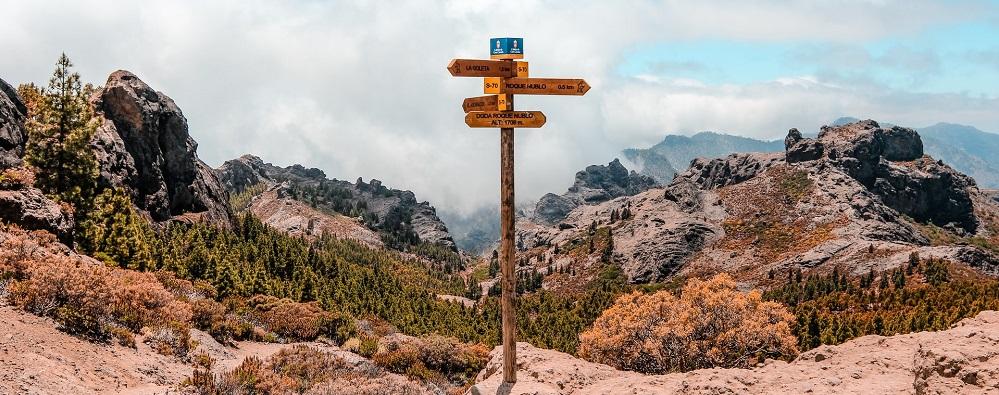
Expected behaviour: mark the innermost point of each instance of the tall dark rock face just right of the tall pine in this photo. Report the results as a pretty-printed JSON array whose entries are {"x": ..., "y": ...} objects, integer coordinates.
[{"x": 144, "y": 147}]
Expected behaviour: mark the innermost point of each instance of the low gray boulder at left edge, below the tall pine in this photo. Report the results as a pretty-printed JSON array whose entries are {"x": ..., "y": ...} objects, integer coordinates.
[{"x": 30, "y": 209}]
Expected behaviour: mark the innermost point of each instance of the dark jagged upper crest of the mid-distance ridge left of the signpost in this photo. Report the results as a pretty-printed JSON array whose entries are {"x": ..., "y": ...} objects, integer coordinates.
[{"x": 239, "y": 174}]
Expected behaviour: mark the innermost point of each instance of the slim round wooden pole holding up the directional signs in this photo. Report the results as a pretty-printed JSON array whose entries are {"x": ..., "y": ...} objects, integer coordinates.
[{"x": 507, "y": 258}]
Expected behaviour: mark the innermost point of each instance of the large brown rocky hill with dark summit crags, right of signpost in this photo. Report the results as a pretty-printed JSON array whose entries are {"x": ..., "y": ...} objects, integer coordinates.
[{"x": 858, "y": 197}]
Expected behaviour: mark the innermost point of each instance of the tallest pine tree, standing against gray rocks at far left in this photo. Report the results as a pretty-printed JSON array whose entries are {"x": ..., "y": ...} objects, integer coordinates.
[{"x": 58, "y": 146}]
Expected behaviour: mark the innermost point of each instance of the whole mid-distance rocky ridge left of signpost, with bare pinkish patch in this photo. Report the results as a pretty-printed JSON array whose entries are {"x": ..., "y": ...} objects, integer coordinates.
[{"x": 393, "y": 212}]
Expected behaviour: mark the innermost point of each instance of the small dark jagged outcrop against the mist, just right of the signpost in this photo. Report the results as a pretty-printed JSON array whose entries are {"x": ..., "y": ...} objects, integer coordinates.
[{"x": 595, "y": 184}]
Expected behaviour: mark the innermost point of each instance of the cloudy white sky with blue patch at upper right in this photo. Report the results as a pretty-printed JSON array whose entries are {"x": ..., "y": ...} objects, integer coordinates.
[{"x": 359, "y": 88}]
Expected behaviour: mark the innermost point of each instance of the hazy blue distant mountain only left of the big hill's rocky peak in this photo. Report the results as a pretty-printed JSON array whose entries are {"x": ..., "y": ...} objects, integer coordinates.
[{"x": 675, "y": 152}]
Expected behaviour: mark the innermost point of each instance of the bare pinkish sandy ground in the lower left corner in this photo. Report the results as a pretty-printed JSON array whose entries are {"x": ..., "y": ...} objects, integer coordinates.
[{"x": 36, "y": 358}]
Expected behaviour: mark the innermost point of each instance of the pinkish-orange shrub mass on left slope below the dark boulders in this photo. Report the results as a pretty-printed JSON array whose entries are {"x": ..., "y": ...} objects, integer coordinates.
[{"x": 85, "y": 297}]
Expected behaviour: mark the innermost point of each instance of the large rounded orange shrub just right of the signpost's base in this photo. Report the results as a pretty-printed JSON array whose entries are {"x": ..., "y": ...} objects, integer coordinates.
[{"x": 711, "y": 324}]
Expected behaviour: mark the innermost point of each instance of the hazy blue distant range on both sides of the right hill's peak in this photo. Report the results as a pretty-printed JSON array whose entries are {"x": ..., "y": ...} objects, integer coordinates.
[{"x": 966, "y": 148}]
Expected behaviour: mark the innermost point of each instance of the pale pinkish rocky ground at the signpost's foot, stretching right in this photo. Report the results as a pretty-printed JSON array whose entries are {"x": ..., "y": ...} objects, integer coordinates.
[{"x": 961, "y": 360}]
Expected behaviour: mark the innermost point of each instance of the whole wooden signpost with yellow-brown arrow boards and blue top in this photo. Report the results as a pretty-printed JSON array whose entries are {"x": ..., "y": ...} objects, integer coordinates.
[{"x": 505, "y": 77}]
